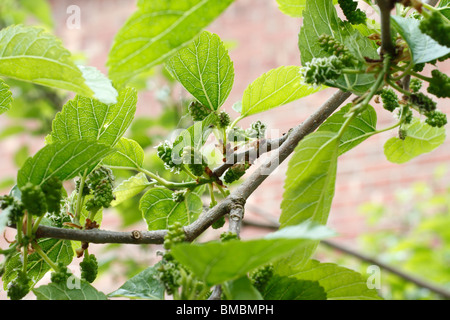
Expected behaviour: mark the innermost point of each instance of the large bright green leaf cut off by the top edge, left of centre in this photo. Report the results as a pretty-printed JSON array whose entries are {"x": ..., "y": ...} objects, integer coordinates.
[{"x": 156, "y": 31}]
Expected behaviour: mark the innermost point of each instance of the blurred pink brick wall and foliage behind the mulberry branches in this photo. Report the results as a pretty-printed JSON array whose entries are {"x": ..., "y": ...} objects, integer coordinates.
[{"x": 396, "y": 213}]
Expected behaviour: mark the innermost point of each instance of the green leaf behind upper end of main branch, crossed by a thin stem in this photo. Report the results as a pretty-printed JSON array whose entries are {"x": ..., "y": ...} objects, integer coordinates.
[{"x": 359, "y": 129}]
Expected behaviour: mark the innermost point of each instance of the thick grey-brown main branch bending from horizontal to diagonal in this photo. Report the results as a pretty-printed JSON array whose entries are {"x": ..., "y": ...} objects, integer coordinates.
[{"x": 233, "y": 201}]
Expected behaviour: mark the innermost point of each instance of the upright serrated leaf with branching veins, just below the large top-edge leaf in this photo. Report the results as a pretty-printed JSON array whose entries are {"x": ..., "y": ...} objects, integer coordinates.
[{"x": 205, "y": 69}]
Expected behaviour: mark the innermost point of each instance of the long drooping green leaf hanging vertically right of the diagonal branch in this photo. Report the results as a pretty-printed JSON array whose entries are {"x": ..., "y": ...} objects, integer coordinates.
[{"x": 309, "y": 185}]
